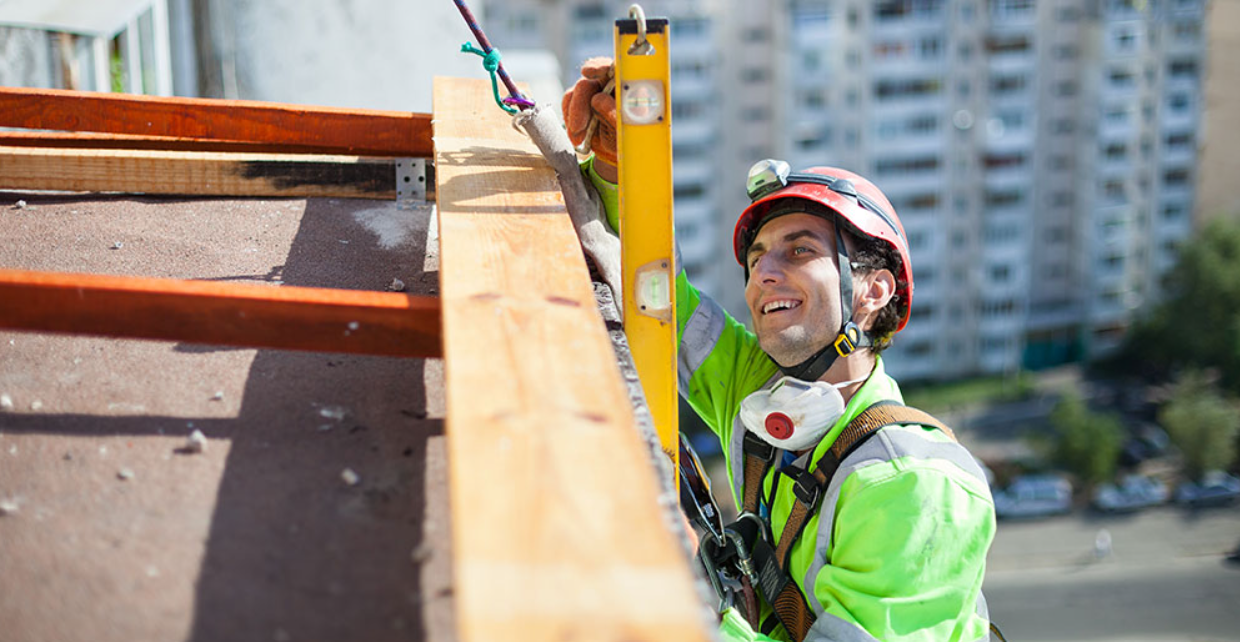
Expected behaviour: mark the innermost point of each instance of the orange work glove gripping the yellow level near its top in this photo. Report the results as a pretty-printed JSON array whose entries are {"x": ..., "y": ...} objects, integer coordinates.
[{"x": 593, "y": 97}]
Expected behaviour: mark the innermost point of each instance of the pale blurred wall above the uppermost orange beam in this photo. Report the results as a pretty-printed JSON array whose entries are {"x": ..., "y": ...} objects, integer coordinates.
[{"x": 359, "y": 54}]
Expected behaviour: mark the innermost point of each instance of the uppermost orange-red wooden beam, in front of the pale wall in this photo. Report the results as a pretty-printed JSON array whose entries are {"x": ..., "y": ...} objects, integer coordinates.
[{"x": 359, "y": 132}]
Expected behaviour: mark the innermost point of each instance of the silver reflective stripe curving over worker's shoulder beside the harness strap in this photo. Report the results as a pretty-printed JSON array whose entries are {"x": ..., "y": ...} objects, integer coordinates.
[{"x": 886, "y": 446}]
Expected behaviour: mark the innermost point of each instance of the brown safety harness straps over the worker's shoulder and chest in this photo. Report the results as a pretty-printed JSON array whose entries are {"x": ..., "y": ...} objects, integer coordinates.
[{"x": 777, "y": 587}]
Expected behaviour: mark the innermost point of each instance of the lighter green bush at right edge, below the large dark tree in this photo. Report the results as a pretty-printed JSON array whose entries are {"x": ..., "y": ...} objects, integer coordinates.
[{"x": 1202, "y": 423}]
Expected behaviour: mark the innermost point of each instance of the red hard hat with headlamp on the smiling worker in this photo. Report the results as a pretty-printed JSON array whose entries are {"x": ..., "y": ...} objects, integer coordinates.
[{"x": 852, "y": 198}]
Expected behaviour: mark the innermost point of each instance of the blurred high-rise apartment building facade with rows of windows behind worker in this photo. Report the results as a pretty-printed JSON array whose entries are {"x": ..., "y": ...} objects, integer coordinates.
[{"x": 1041, "y": 153}]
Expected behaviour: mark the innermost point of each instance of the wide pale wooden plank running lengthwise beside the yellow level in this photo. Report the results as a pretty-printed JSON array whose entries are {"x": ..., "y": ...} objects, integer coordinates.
[{"x": 556, "y": 526}]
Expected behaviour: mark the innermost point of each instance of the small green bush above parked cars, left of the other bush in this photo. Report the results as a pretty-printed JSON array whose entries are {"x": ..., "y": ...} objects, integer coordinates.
[{"x": 1086, "y": 444}]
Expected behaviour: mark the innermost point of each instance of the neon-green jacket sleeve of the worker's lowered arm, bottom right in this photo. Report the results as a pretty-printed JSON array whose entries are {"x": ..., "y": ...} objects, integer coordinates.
[{"x": 901, "y": 572}]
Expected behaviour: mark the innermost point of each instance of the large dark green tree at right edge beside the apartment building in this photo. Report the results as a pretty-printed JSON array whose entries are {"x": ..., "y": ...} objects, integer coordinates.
[{"x": 1198, "y": 325}]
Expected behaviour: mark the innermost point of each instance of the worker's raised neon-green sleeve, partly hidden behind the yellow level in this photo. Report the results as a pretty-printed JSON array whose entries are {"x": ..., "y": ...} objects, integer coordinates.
[{"x": 719, "y": 360}]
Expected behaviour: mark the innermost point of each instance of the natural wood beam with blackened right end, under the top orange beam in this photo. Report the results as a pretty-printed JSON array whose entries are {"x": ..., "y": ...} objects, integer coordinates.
[{"x": 197, "y": 173}]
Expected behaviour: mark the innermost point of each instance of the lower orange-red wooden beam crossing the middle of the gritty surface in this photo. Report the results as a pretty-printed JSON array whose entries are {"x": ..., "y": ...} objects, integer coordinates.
[{"x": 259, "y": 317}]
